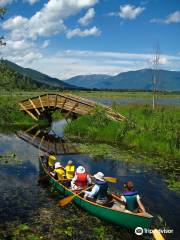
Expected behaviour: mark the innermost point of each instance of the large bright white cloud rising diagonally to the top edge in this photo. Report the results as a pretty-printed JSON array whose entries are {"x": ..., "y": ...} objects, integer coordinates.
[{"x": 46, "y": 22}]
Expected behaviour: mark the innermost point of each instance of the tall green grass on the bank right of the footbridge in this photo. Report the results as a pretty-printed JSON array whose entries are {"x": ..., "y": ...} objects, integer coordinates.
[{"x": 156, "y": 132}]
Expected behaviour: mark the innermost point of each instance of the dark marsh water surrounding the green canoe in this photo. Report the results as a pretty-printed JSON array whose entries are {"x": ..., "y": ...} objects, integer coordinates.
[{"x": 23, "y": 200}]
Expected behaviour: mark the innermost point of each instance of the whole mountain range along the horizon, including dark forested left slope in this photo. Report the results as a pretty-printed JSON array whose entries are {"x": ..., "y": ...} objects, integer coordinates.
[{"x": 132, "y": 80}]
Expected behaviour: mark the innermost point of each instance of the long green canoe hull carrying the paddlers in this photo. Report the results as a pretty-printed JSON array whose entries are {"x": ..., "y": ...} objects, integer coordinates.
[{"x": 128, "y": 220}]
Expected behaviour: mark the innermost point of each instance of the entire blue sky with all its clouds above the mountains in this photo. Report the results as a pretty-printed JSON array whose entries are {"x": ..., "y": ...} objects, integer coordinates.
[{"x": 64, "y": 38}]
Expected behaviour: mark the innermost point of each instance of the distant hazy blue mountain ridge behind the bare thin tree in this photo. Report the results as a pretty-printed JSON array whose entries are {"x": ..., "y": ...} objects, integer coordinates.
[{"x": 132, "y": 80}]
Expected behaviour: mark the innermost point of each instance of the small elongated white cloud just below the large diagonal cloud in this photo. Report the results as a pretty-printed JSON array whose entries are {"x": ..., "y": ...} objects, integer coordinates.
[{"x": 94, "y": 31}]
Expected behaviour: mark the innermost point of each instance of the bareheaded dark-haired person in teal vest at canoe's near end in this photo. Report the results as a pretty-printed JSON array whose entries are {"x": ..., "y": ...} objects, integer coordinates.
[{"x": 130, "y": 200}]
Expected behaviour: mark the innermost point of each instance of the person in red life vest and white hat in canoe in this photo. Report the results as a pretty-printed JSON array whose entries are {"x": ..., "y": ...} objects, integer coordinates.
[{"x": 81, "y": 179}]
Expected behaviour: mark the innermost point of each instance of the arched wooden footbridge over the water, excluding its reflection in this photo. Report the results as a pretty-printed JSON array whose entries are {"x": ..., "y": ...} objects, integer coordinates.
[{"x": 70, "y": 105}]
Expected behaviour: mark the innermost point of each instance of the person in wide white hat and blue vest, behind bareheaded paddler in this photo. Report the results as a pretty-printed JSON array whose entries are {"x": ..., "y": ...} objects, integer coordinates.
[{"x": 99, "y": 191}]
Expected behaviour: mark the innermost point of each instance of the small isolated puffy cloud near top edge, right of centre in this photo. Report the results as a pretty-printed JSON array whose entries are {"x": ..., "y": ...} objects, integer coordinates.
[{"x": 128, "y": 11}]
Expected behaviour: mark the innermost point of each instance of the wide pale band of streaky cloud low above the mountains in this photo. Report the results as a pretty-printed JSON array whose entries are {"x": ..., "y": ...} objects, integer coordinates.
[{"x": 68, "y": 63}]
